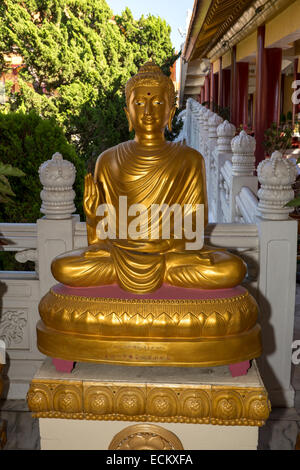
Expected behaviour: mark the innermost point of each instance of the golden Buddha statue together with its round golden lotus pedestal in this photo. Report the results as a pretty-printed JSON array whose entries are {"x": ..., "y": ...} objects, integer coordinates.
[{"x": 148, "y": 299}]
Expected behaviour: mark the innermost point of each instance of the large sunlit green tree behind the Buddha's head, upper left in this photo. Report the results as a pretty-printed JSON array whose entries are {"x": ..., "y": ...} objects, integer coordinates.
[{"x": 77, "y": 60}]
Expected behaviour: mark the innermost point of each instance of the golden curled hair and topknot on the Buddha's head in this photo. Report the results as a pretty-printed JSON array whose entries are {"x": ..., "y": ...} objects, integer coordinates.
[{"x": 150, "y": 74}]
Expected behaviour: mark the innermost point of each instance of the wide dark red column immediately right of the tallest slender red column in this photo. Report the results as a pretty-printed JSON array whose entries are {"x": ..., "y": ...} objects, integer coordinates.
[{"x": 273, "y": 63}]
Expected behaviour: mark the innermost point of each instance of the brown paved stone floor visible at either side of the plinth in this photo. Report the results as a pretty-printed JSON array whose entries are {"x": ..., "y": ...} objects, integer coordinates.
[{"x": 279, "y": 433}]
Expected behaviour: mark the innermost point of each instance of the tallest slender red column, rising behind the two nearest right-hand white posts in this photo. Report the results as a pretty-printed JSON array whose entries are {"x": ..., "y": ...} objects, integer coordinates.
[{"x": 261, "y": 93}]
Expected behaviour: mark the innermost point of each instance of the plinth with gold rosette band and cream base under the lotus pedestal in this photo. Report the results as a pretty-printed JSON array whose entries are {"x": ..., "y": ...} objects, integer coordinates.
[{"x": 87, "y": 408}]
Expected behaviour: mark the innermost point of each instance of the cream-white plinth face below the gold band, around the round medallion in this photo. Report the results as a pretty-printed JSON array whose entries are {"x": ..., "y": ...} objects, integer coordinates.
[{"x": 69, "y": 434}]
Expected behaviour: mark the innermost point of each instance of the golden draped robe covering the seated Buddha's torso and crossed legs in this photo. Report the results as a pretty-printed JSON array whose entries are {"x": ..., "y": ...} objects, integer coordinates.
[{"x": 174, "y": 174}]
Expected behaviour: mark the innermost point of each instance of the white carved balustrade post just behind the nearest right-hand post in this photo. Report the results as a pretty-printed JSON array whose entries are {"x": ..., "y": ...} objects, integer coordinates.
[{"x": 243, "y": 168}]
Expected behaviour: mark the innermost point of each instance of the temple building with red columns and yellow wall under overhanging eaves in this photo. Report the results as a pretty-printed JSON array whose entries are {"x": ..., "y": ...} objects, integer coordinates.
[{"x": 242, "y": 57}]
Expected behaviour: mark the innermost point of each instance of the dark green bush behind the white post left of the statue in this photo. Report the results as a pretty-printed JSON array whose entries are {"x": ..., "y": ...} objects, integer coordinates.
[{"x": 26, "y": 141}]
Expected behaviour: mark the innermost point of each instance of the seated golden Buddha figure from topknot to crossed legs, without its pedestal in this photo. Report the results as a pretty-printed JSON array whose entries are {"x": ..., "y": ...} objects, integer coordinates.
[{"x": 150, "y": 171}]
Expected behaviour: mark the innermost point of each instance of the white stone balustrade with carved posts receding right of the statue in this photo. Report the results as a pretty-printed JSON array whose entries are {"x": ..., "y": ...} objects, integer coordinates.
[{"x": 234, "y": 197}]
